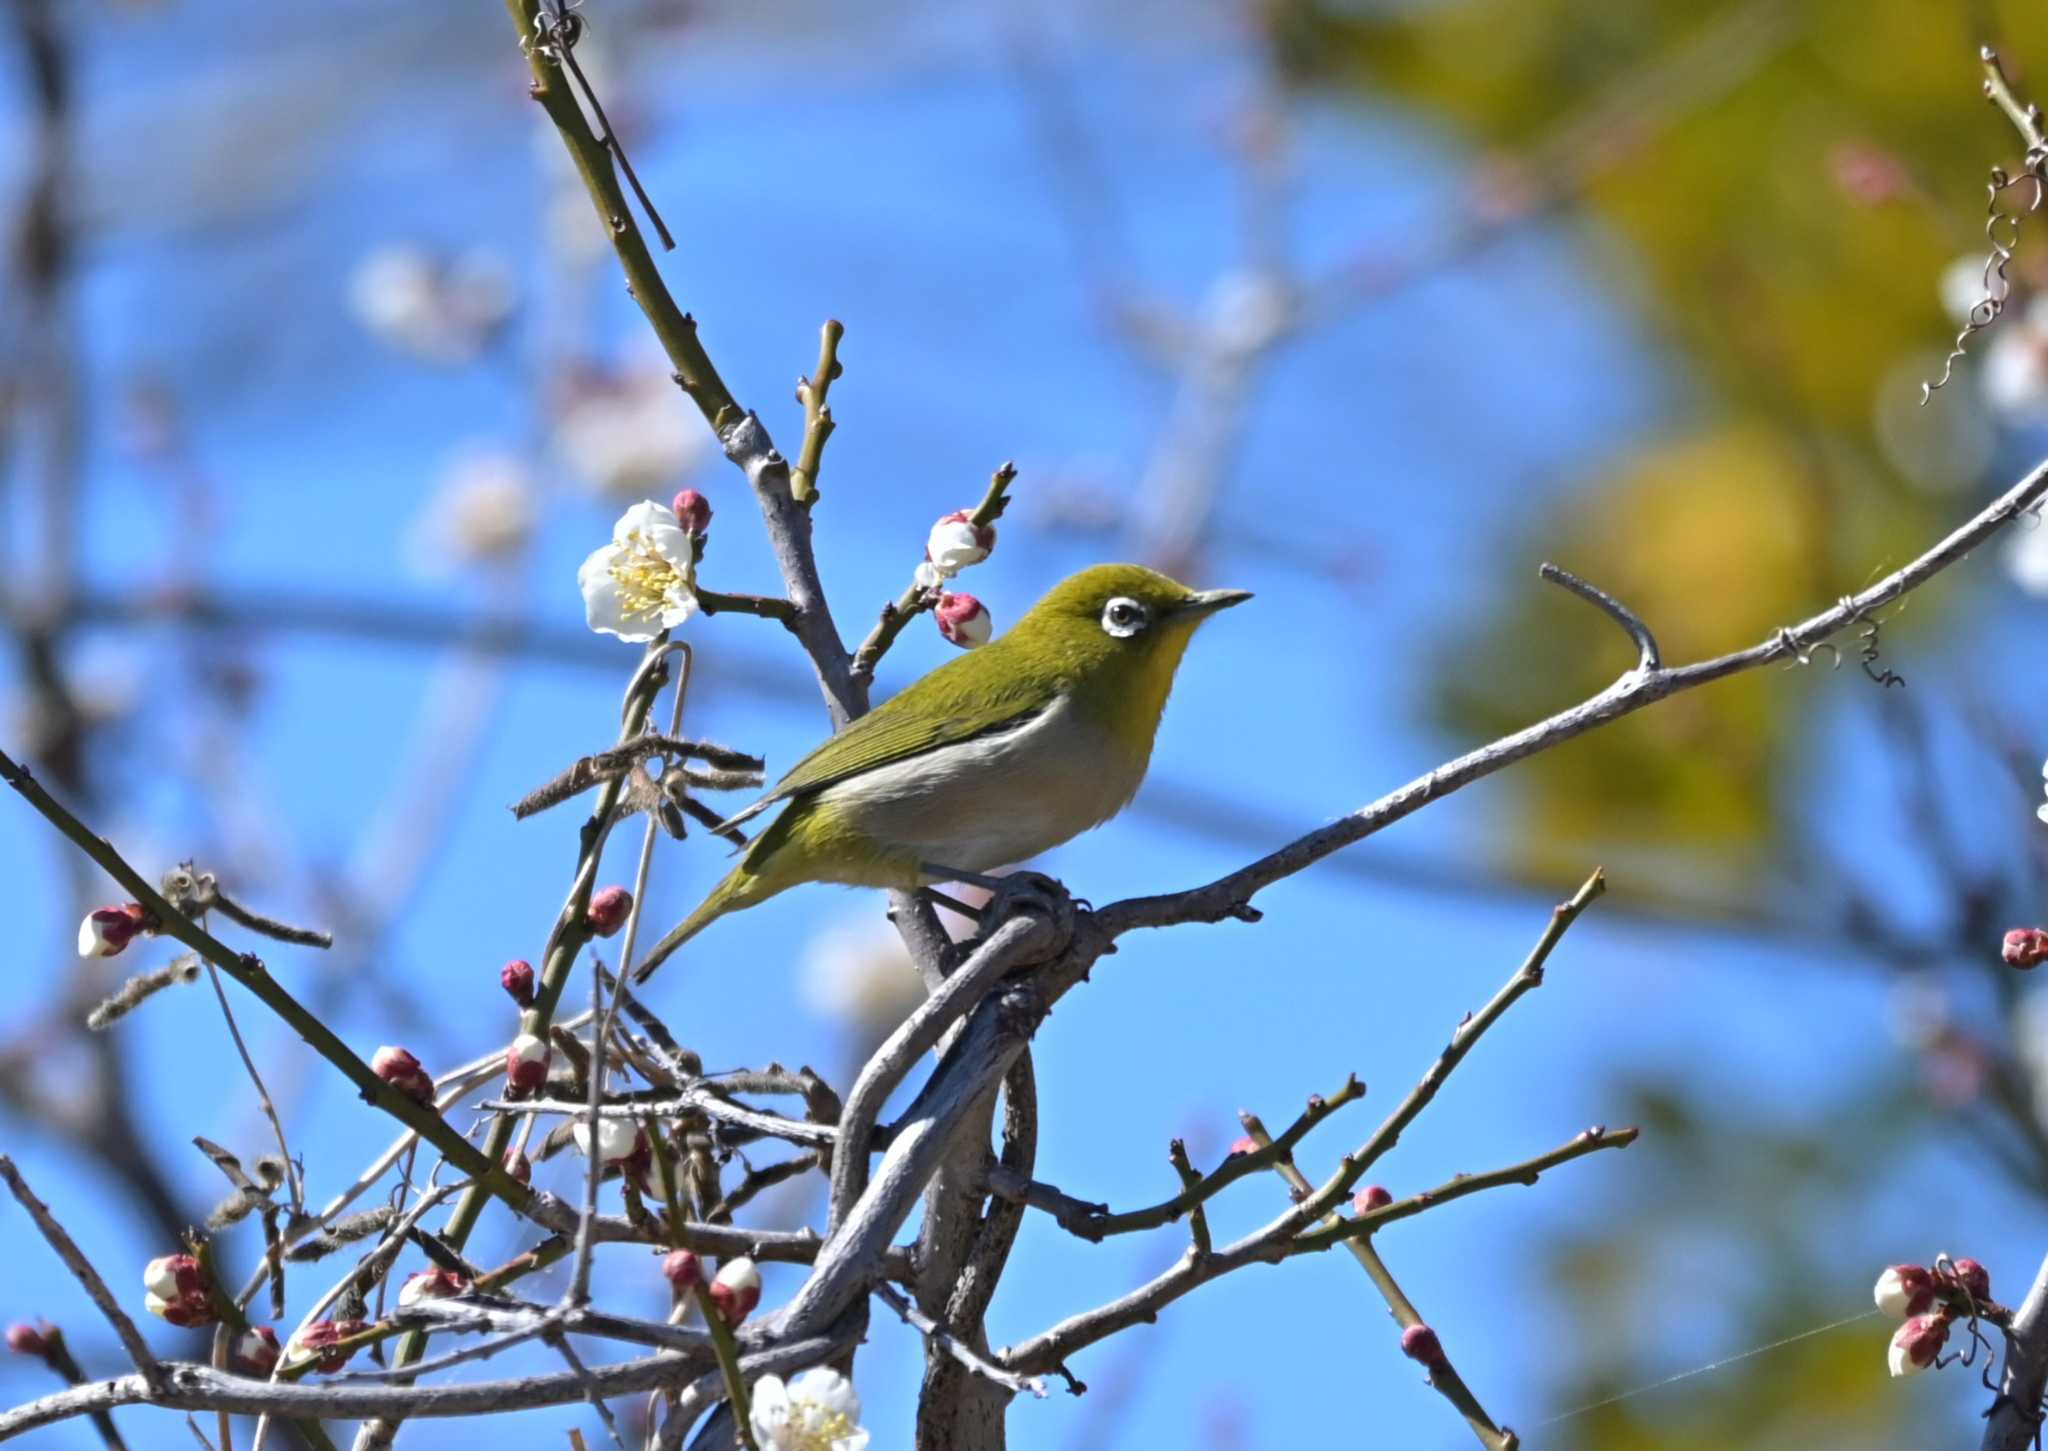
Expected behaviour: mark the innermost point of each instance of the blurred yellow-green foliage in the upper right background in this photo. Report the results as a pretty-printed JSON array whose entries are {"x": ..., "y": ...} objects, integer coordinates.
[{"x": 1789, "y": 181}]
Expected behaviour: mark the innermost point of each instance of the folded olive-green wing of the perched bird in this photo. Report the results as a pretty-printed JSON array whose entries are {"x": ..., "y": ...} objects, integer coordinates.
[{"x": 925, "y": 716}]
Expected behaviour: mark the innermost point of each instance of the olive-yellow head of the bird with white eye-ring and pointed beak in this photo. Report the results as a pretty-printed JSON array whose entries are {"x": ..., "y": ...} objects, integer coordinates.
[{"x": 1121, "y": 628}]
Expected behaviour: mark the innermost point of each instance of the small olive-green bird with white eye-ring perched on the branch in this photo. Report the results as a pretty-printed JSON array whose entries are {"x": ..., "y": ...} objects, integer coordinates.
[{"x": 990, "y": 759}]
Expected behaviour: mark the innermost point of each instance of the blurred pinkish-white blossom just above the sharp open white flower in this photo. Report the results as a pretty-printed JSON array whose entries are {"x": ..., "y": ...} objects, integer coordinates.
[{"x": 630, "y": 433}]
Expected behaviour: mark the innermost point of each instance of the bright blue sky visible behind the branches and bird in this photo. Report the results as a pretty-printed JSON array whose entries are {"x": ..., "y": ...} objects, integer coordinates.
[{"x": 900, "y": 190}]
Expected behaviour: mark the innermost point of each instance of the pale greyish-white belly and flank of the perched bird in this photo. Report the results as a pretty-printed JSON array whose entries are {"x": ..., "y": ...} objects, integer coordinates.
[{"x": 1000, "y": 798}]
